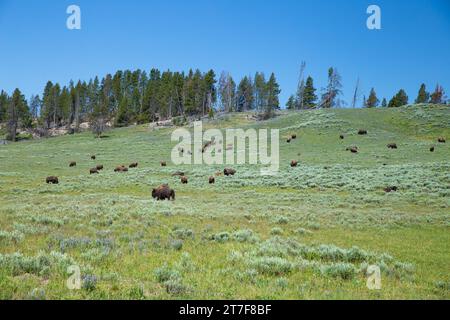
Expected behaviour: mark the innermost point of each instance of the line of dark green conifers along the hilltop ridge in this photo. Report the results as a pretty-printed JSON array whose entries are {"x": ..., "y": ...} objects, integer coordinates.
[{"x": 129, "y": 97}]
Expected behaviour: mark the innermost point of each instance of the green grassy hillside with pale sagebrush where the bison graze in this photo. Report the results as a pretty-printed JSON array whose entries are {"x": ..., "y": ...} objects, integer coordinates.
[{"x": 308, "y": 233}]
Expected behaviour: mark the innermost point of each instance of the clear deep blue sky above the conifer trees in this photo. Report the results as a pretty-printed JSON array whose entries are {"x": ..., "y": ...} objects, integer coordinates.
[{"x": 240, "y": 36}]
